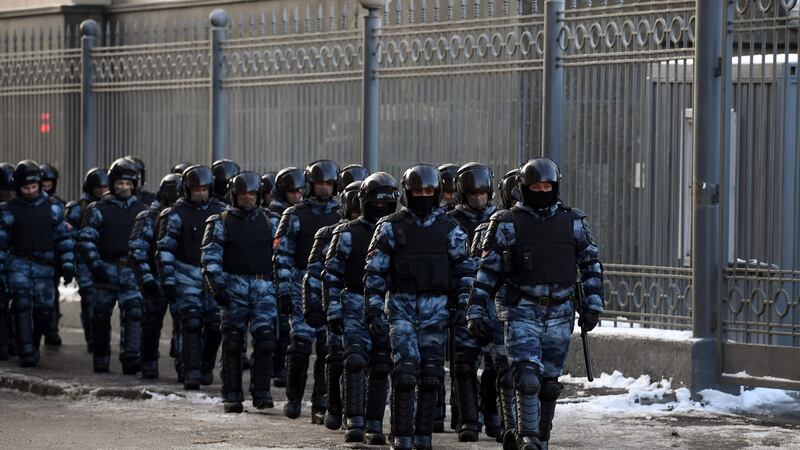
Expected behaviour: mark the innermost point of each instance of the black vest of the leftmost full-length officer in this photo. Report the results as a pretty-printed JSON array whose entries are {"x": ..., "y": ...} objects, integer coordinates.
[{"x": 34, "y": 228}]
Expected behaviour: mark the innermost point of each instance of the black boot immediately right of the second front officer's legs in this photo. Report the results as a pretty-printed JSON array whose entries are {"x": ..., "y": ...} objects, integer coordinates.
[{"x": 467, "y": 392}]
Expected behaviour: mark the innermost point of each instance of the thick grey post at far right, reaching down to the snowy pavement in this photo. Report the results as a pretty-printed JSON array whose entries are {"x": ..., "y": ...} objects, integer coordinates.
[{"x": 708, "y": 145}]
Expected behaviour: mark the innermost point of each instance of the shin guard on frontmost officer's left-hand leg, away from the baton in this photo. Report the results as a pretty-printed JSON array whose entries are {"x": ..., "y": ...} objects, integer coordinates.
[{"x": 527, "y": 386}]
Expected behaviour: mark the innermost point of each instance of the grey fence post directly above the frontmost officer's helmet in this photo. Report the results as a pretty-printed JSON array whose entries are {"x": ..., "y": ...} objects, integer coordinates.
[{"x": 553, "y": 93}]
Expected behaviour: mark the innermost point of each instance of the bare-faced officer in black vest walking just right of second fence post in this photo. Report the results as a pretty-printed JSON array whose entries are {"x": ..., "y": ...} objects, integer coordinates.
[{"x": 237, "y": 268}]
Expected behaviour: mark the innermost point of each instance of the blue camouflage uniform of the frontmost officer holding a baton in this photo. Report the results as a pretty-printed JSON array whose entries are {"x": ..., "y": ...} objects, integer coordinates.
[{"x": 538, "y": 318}]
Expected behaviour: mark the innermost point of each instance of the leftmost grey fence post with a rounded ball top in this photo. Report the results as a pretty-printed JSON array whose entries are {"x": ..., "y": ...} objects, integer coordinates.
[{"x": 89, "y": 33}]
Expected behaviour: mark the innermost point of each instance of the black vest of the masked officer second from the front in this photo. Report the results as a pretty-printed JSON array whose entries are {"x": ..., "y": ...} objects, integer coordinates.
[{"x": 421, "y": 257}]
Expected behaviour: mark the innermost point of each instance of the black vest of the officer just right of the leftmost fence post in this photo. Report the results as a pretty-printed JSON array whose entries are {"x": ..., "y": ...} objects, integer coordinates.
[{"x": 117, "y": 226}]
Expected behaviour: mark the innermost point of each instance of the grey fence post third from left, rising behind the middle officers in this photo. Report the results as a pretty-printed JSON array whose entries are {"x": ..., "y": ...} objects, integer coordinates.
[{"x": 371, "y": 92}]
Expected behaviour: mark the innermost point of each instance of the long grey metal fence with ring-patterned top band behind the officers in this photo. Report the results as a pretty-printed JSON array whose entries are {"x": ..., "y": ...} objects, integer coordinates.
[{"x": 461, "y": 81}]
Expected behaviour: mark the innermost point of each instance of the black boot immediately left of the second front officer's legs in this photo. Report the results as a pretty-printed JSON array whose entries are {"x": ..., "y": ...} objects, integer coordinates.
[{"x": 379, "y": 367}]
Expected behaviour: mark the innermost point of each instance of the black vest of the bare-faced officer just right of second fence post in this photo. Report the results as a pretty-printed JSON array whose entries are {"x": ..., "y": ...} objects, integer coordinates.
[{"x": 248, "y": 245}]
